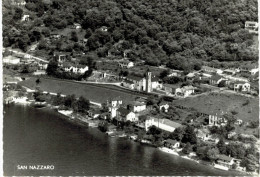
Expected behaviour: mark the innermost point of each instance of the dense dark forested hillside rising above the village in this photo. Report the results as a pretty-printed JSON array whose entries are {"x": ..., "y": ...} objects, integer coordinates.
[{"x": 178, "y": 33}]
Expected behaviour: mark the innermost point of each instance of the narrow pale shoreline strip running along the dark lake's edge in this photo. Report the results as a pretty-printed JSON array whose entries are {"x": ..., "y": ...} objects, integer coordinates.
[{"x": 69, "y": 117}]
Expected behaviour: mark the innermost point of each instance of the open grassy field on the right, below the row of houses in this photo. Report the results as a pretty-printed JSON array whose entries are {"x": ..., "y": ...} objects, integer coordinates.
[{"x": 241, "y": 107}]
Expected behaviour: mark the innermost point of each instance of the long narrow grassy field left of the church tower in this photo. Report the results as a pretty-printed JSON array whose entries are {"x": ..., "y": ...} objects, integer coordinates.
[{"x": 96, "y": 93}]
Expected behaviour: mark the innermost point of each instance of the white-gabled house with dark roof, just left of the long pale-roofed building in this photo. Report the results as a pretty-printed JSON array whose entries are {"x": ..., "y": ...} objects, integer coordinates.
[{"x": 123, "y": 114}]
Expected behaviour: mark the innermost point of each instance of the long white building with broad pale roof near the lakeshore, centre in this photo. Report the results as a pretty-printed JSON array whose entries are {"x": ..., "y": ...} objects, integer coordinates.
[{"x": 164, "y": 124}]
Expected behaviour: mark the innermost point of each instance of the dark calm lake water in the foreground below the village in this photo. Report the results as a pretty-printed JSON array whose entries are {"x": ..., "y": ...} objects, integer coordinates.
[{"x": 41, "y": 137}]
